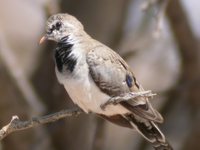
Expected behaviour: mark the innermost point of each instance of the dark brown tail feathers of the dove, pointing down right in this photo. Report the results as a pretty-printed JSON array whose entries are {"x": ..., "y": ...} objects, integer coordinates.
[{"x": 150, "y": 131}]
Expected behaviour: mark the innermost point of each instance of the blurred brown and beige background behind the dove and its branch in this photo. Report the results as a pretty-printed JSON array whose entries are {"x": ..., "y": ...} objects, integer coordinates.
[{"x": 159, "y": 41}]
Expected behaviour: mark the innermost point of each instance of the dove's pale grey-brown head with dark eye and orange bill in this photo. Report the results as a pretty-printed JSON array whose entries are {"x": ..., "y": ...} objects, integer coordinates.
[{"x": 59, "y": 26}]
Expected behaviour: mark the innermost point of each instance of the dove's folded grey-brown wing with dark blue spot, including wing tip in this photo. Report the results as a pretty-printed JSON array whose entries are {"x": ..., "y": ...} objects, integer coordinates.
[{"x": 114, "y": 77}]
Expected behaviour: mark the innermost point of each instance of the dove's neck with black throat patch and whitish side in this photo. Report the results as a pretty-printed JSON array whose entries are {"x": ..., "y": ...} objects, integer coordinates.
[{"x": 67, "y": 48}]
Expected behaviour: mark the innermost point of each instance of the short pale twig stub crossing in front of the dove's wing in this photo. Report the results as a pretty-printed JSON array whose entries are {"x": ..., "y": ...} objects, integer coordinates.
[{"x": 126, "y": 97}]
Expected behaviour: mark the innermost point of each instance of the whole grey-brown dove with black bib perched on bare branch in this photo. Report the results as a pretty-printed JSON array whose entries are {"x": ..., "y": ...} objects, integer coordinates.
[{"x": 92, "y": 73}]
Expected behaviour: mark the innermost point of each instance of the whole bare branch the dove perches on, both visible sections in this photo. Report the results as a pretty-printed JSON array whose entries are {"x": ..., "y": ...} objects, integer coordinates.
[{"x": 16, "y": 124}]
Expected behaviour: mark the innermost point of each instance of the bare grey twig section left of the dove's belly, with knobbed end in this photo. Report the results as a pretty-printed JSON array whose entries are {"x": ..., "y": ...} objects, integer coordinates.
[{"x": 17, "y": 125}]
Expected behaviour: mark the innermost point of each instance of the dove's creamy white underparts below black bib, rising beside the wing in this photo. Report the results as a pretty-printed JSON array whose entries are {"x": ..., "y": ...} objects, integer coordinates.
[{"x": 85, "y": 93}]
